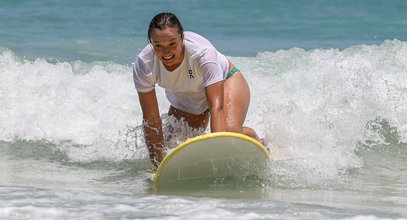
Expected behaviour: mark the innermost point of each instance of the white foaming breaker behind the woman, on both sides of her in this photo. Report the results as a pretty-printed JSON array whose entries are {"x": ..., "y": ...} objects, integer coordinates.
[{"x": 313, "y": 107}]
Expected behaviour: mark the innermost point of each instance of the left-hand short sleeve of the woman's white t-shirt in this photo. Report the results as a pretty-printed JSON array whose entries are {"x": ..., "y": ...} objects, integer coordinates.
[{"x": 143, "y": 77}]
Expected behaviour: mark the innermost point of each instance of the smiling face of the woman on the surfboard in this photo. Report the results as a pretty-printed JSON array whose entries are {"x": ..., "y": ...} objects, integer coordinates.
[{"x": 168, "y": 46}]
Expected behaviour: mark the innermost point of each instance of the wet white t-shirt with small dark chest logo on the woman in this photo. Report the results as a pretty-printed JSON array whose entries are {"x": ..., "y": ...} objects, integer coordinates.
[{"x": 184, "y": 87}]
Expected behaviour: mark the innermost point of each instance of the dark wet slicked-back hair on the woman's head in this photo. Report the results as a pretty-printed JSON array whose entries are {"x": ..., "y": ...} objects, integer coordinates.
[{"x": 164, "y": 20}]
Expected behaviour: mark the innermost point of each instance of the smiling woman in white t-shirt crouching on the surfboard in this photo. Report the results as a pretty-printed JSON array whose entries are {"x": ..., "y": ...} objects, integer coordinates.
[{"x": 200, "y": 83}]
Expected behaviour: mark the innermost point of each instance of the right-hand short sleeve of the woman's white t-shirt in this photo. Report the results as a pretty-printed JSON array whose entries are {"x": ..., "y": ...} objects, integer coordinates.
[{"x": 210, "y": 67}]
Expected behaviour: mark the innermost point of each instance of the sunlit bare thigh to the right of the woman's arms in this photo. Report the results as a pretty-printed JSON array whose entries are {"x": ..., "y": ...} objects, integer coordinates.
[{"x": 236, "y": 101}]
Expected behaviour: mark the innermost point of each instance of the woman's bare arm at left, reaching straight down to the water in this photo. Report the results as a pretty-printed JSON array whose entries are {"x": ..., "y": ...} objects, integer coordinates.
[{"x": 152, "y": 126}]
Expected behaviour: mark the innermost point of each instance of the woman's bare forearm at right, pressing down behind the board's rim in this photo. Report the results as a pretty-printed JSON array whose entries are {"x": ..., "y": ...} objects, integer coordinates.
[{"x": 214, "y": 96}]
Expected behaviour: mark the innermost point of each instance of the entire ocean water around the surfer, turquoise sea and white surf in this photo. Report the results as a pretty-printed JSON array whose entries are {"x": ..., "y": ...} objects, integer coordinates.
[{"x": 329, "y": 94}]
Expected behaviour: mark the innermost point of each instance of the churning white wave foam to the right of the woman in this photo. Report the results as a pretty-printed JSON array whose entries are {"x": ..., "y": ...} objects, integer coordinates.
[{"x": 318, "y": 106}]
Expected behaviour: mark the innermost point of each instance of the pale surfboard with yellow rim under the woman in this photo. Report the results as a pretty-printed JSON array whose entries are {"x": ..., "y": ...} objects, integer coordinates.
[{"x": 220, "y": 154}]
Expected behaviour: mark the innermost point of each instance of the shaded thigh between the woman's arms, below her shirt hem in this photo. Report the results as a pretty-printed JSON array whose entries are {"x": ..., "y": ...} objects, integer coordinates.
[{"x": 194, "y": 121}]
